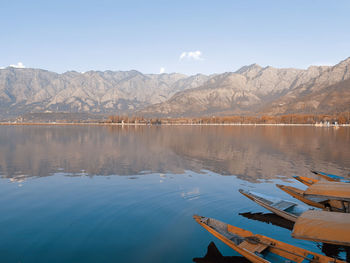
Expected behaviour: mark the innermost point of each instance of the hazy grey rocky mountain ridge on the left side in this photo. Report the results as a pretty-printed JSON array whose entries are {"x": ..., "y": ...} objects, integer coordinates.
[{"x": 36, "y": 90}]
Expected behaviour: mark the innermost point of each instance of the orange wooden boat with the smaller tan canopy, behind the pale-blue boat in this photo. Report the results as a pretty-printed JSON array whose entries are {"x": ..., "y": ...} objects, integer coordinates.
[{"x": 330, "y": 196}]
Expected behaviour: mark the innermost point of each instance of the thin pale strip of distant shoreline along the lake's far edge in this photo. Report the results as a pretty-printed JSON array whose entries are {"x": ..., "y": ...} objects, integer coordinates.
[{"x": 165, "y": 124}]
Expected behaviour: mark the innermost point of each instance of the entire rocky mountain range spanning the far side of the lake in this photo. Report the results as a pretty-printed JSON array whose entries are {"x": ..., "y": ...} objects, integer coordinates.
[{"x": 250, "y": 90}]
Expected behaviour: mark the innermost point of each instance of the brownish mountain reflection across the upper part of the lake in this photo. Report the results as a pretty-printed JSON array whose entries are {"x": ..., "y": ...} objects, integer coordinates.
[{"x": 249, "y": 152}]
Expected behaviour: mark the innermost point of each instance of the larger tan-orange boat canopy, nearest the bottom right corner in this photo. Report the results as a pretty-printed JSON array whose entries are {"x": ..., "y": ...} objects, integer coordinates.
[{"x": 323, "y": 226}]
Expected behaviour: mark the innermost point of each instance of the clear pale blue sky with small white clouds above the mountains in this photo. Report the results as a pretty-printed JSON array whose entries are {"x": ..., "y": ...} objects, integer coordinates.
[{"x": 179, "y": 36}]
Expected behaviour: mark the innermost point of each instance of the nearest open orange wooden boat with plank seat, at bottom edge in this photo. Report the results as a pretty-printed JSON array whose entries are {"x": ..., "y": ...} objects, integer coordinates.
[{"x": 259, "y": 248}]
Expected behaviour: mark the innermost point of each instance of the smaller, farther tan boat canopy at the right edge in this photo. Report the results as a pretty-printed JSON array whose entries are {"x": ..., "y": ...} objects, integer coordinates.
[{"x": 331, "y": 190}]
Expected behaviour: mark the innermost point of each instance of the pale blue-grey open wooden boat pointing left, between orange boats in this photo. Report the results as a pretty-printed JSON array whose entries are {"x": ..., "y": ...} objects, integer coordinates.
[{"x": 284, "y": 208}]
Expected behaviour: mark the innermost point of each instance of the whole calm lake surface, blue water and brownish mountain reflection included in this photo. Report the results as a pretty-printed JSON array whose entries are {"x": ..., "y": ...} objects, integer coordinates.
[{"x": 127, "y": 194}]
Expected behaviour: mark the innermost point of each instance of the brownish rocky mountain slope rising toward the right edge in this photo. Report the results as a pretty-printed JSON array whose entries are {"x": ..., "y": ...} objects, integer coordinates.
[{"x": 257, "y": 90}]
